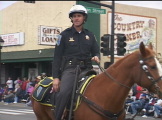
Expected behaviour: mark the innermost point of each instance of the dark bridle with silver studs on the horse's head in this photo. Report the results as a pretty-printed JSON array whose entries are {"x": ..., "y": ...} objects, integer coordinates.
[{"x": 145, "y": 67}]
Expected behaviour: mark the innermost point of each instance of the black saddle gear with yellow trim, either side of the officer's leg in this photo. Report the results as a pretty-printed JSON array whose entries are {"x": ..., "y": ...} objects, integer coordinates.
[{"x": 43, "y": 93}]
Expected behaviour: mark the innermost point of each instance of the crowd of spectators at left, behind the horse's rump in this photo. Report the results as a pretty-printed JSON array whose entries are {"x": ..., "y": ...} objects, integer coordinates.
[{"x": 19, "y": 90}]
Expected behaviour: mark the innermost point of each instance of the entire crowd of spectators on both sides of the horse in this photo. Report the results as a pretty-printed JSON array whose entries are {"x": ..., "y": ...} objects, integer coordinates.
[{"x": 138, "y": 102}]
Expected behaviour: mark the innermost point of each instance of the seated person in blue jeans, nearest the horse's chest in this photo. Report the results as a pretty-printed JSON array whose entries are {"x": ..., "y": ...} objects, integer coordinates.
[{"x": 139, "y": 104}]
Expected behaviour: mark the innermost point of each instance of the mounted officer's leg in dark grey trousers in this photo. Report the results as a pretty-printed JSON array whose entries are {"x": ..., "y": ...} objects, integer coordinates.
[{"x": 64, "y": 94}]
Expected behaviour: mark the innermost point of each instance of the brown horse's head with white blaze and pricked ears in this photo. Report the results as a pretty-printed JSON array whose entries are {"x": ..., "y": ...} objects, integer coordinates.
[{"x": 151, "y": 73}]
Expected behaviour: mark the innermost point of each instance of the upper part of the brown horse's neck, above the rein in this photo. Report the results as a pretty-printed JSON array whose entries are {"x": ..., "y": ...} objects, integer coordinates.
[{"x": 123, "y": 69}]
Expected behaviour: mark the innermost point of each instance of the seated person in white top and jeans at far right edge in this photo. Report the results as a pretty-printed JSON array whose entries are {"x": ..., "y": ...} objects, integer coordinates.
[{"x": 158, "y": 109}]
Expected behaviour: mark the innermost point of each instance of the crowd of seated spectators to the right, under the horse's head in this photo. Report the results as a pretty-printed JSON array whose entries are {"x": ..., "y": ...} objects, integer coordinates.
[{"x": 141, "y": 102}]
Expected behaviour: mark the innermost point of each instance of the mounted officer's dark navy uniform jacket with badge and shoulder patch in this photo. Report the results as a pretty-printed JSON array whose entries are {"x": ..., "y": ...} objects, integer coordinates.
[{"x": 74, "y": 45}]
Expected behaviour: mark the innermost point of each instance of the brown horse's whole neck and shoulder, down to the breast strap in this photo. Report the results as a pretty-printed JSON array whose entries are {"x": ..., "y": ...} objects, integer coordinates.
[{"x": 109, "y": 93}]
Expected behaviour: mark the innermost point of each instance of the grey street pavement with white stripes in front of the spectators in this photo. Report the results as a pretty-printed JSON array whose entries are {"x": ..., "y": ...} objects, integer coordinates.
[{"x": 21, "y": 108}]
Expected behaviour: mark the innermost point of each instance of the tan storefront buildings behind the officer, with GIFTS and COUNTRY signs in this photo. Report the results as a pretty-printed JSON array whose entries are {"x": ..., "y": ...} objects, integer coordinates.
[{"x": 30, "y": 32}]
